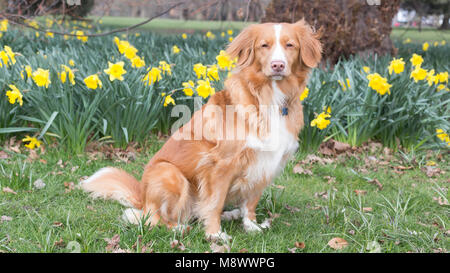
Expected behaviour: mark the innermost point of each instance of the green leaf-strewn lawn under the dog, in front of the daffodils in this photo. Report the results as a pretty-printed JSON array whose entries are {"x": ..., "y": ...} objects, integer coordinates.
[{"x": 404, "y": 215}]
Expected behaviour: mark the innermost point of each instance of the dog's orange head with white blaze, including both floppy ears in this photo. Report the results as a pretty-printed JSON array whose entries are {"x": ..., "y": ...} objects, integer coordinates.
[{"x": 277, "y": 50}]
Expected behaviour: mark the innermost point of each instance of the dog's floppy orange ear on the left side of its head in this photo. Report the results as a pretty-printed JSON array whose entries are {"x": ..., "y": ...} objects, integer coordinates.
[{"x": 243, "y": 47}]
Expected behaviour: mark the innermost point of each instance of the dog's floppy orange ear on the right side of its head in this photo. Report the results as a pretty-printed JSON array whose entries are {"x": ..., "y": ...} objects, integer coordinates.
[{"x": 310, "y": 46}]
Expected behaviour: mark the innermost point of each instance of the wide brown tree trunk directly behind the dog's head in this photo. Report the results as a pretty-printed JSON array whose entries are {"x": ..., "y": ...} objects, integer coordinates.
[{"x": 348, "y": 26}]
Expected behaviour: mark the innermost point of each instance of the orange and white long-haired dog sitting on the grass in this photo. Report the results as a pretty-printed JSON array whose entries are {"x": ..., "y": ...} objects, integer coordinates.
[{"x": 195, "y": 178}]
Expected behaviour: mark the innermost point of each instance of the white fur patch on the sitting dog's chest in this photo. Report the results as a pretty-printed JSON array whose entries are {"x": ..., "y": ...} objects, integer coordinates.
[{"x": 273, "y": 151}]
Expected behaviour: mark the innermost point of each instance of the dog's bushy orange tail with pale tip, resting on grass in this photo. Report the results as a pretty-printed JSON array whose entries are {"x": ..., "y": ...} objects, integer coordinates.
[{"x": 115, "y": 184}]
